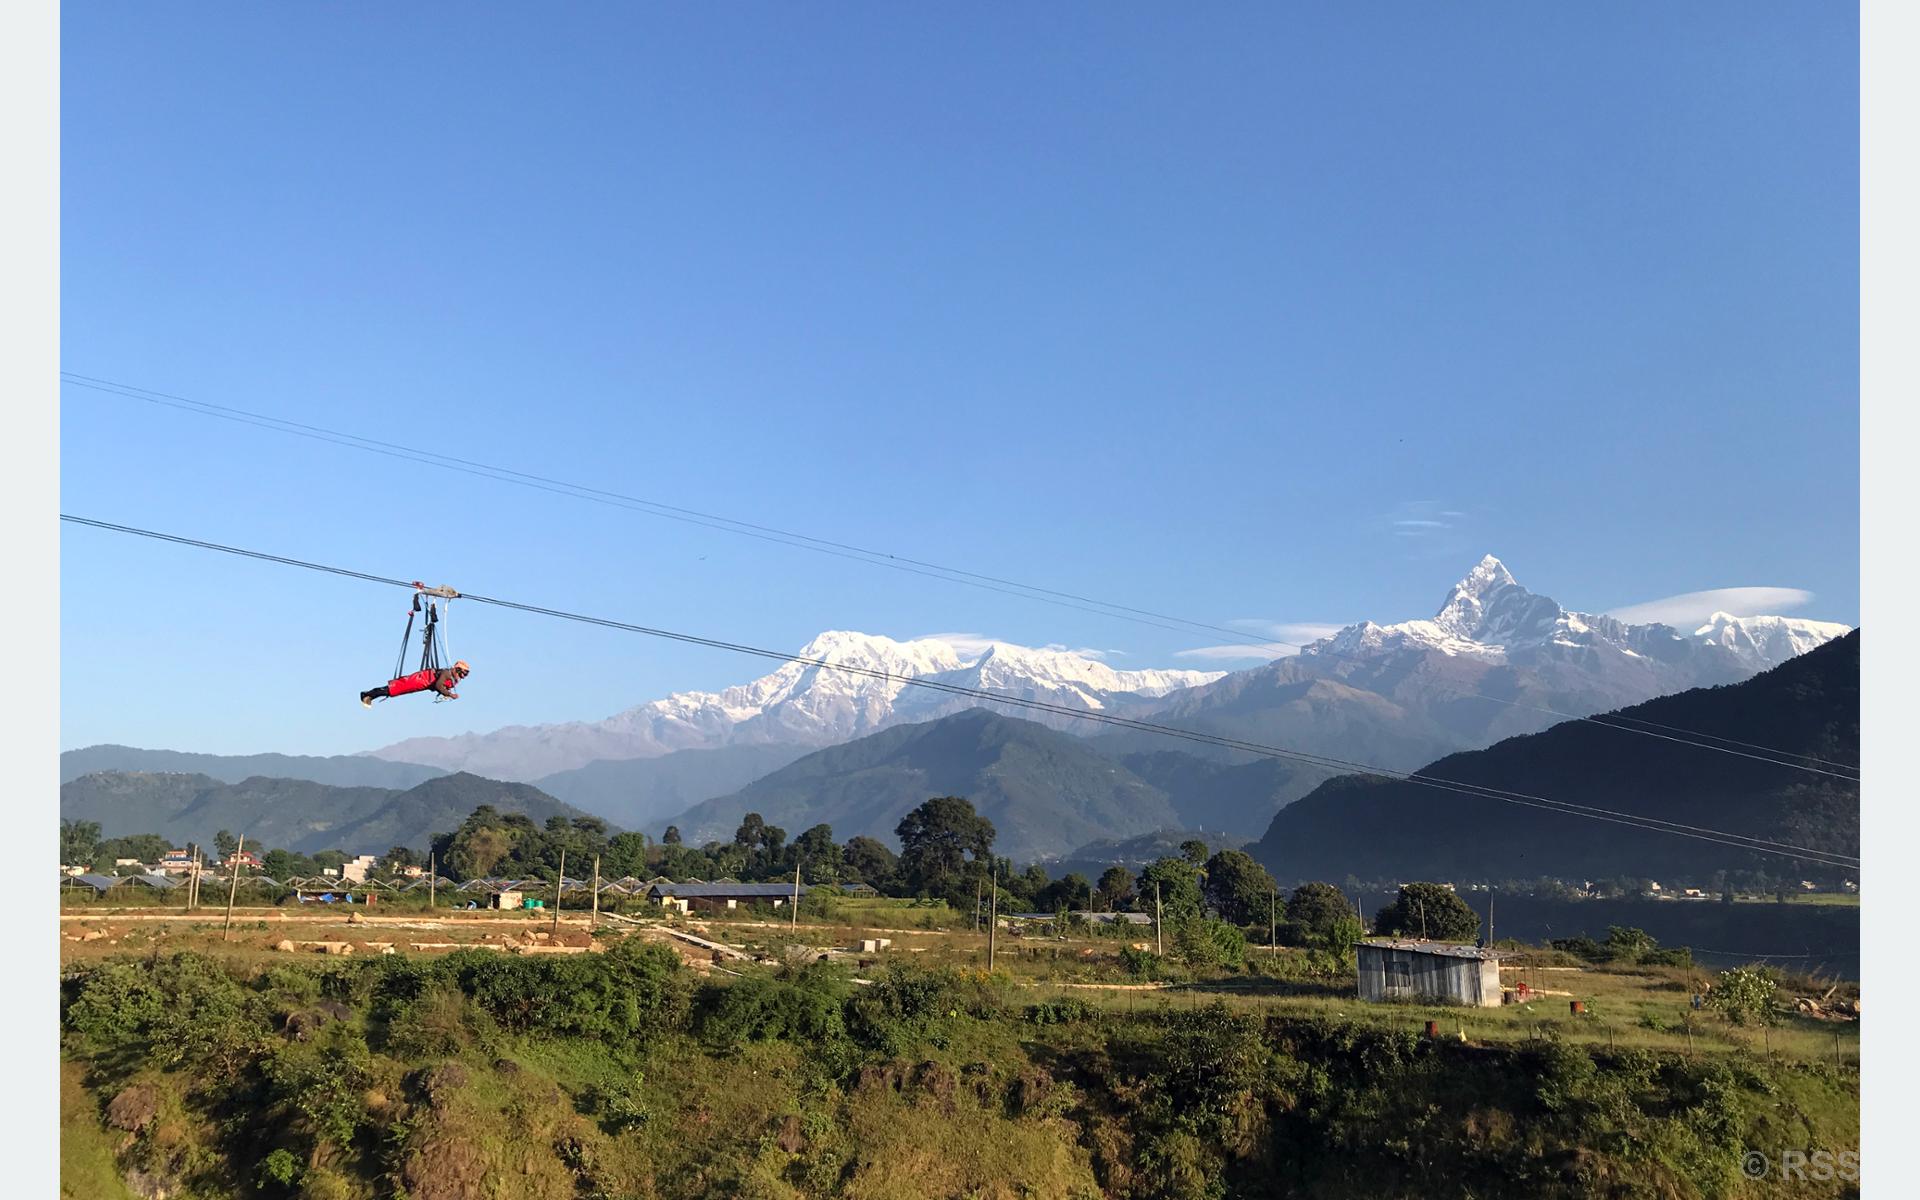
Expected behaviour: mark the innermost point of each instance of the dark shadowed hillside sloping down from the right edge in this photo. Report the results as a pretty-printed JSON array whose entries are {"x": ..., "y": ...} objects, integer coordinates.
[{"x": 1374, "y": 828}]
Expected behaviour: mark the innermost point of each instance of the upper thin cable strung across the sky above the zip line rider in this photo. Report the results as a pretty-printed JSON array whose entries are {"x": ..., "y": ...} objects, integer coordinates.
[{"x": 842, "y": 550}]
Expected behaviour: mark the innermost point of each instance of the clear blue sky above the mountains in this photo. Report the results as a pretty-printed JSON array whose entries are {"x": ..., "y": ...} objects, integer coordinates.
[{"x": 1260, "y": 314}]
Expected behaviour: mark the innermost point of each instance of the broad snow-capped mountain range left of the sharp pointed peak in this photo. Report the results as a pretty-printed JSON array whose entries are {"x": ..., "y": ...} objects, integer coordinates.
[{"x": 809, "y": 706}]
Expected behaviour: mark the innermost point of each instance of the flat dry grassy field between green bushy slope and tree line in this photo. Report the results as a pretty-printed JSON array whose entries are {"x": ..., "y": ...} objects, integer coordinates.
[{"x": 1625, "y": 1007}]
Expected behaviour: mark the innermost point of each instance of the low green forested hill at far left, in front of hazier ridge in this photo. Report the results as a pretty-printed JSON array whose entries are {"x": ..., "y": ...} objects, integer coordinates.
[{"x": 295, "y": 815}]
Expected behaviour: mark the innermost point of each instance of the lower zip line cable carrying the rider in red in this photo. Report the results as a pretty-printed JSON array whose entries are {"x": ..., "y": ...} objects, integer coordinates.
[{"x": 1322, "y": 761}]
